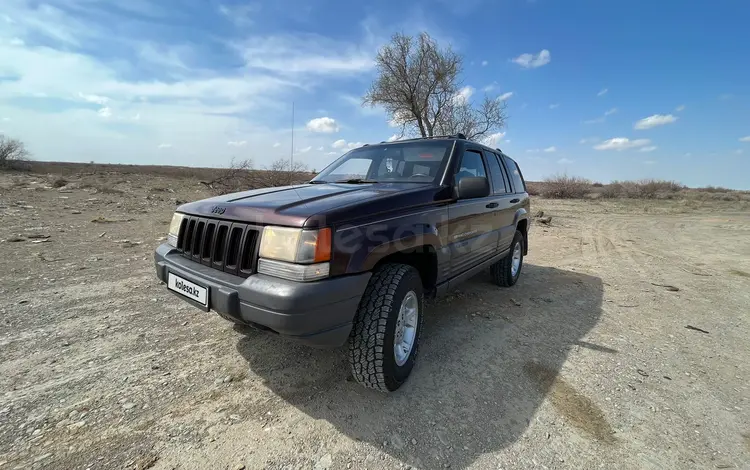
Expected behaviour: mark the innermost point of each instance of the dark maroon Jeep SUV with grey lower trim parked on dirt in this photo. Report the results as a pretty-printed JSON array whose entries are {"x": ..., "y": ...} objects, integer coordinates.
[{"x": 350, "y": 256}]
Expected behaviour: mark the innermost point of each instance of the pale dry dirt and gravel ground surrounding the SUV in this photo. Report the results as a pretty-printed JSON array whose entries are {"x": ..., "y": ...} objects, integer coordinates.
[{"x": 626, "y": 344}]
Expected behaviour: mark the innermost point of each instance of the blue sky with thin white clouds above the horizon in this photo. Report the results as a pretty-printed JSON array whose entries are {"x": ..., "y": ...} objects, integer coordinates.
[{"x": 606, "y": 90}]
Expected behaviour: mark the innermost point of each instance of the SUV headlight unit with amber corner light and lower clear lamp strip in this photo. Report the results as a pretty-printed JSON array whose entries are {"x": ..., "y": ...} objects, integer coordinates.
[{"x": 295, "y": 254}]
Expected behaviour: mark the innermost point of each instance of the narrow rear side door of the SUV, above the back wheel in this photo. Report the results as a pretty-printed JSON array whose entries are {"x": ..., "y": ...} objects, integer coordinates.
[{"x": 503, "y": 197}]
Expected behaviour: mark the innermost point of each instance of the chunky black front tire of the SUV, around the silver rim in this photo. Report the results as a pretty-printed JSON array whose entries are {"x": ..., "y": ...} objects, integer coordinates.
[{"x": 371, "y": 341}]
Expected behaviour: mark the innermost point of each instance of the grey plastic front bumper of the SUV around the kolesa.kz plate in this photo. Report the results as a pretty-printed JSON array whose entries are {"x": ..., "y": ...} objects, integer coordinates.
[{"x": 317, "y": 313}]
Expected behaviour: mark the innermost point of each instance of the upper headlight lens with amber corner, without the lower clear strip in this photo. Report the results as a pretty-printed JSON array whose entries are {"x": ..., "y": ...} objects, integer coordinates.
[{"x": 296, "y": 245}]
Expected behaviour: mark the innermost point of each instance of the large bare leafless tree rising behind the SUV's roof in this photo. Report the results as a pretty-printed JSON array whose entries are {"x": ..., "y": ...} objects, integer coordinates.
[{"x": 418, "y": 86}]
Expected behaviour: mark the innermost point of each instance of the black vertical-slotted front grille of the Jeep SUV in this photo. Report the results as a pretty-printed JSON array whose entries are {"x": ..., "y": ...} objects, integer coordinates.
[{"x": 226, "y": 246}]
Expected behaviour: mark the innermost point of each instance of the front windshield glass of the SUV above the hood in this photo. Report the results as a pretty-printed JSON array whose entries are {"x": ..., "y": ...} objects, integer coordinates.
[{"x": 399, "y": 162}]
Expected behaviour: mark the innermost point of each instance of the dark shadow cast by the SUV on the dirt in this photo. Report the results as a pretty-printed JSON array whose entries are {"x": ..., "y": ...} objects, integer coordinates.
[{"x": 489, "y": 357}]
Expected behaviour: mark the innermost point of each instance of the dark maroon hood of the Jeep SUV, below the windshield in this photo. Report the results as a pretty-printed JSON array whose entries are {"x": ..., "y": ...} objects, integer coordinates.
[{"x": 313, "y": 205}]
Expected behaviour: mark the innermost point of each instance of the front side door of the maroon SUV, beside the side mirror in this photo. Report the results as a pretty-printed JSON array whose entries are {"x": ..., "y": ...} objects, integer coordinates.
[{"x": 471, "y": 234}]
